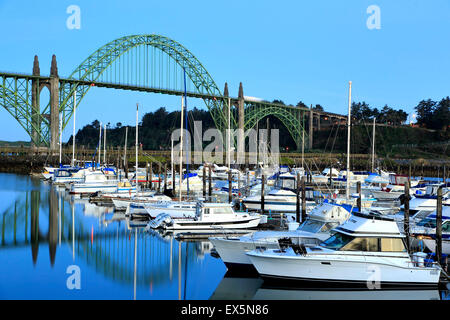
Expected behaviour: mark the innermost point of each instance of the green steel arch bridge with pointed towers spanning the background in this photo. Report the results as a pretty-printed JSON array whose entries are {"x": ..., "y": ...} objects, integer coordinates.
[{"x": 148, "y": 63}]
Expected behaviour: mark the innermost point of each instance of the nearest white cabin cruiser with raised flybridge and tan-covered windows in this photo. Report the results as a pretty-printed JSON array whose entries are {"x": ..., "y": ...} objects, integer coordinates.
[{"x": 366, "y": 251}]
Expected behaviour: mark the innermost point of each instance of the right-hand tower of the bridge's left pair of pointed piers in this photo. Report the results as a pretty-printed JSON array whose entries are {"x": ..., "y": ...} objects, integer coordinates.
[{"x": 54, "y": 106}]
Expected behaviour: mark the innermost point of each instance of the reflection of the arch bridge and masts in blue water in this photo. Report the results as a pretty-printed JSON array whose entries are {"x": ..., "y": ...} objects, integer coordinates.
[{"x": 97, "y": 237}]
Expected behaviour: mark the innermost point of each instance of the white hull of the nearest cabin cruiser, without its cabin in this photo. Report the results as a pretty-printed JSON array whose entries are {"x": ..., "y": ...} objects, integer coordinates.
[{"x": 366, "y": 272}]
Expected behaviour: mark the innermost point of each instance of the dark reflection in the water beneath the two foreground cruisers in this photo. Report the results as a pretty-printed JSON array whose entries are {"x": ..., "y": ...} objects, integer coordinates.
[{"x": 254, "y": 288}]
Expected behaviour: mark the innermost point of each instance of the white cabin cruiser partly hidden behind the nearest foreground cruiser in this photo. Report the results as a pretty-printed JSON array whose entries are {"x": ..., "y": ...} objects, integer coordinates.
[{"x": 313, "y": 230}]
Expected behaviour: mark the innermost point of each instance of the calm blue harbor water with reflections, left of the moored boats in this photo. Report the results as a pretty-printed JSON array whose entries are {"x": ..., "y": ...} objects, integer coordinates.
[{"x": 56, "y": 247}]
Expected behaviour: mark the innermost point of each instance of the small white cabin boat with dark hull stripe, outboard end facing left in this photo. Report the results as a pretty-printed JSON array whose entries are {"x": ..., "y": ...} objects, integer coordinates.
[{"x": 209, "y": 216}]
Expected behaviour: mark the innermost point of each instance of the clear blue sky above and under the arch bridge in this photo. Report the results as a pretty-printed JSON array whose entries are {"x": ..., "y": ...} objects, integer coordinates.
[{"x": 288, "y": 50}]
